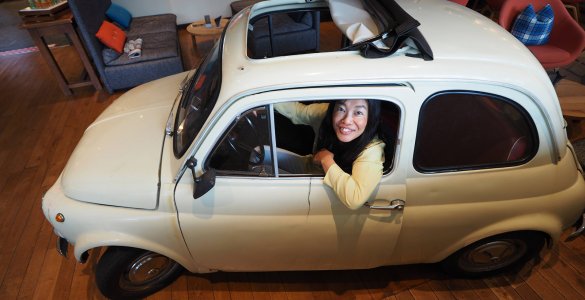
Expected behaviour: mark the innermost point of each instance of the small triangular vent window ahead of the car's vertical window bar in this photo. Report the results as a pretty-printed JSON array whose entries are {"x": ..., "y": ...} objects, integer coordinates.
[{"x": 245, "y": 147}]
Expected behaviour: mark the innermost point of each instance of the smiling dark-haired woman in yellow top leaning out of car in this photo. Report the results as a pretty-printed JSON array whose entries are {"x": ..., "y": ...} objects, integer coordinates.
[{"x": 347, "y": 149}]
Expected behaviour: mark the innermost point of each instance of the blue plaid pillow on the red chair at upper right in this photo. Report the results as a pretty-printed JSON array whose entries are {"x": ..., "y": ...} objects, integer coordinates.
[{"x": 533, "y": 28}]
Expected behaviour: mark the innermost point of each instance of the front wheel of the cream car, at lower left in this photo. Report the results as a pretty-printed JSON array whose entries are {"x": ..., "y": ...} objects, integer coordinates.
[{"x": 129, "y": 273}]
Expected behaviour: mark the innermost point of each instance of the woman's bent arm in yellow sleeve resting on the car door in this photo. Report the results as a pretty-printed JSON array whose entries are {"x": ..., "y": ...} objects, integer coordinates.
[{"x": 355, "y": 189}]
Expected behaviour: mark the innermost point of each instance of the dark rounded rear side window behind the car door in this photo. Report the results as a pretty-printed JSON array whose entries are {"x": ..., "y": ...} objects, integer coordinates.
[{"x": 459, "y": 131}]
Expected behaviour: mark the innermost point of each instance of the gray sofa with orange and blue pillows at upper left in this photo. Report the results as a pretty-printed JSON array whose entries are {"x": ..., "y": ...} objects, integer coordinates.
[{"x": 160, "y": 57}]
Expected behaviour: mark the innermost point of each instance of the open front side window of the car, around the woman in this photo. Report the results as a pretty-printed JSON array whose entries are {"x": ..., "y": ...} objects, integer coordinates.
[{"x": 259, "y": 135}]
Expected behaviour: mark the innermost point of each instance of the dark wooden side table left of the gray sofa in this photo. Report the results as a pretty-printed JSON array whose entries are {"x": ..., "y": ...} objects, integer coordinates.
[{"x": 62, "y": 25}]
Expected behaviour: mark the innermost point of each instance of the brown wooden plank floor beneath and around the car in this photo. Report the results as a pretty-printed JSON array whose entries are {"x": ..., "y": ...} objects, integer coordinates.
[{"x": 39, "y": 127}]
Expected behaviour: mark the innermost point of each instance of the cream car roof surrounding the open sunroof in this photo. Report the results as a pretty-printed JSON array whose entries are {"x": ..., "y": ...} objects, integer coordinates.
[{"x": 465, "y": 44}]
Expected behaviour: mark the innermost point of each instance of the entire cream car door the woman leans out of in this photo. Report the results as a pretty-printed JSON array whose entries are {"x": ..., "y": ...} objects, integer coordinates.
[{"x": 262, "y": 218}]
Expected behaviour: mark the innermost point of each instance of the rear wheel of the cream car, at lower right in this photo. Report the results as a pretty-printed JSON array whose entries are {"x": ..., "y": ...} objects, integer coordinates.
[{"x": 494, "y": 254}]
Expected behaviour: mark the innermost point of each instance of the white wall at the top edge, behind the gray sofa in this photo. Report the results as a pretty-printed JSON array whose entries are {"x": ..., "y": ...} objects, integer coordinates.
[{"x": 187, "y": 11}]
